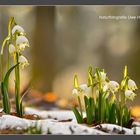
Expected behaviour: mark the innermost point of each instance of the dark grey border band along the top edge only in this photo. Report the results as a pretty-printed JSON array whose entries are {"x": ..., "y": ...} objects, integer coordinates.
[{"x": 69, "y": 2}]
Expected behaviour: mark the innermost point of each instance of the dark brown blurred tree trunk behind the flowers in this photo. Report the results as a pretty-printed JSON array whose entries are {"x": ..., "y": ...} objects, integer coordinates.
[{"x": 44, "y": 48}]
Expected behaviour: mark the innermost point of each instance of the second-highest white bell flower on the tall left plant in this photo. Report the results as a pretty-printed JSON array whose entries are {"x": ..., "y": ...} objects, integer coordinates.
[{"x": 22, "y": 42}]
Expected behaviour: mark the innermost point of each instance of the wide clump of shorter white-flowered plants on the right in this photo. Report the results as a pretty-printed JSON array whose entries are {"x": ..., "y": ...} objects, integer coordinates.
[{"x": 104, "y": 100}]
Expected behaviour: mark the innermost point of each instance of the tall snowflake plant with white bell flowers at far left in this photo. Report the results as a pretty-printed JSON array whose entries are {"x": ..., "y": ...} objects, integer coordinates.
[{"x": 14, "y": 45}]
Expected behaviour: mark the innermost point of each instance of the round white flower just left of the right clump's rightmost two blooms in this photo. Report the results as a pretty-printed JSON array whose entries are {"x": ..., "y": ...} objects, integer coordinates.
[{"x": 113, "y": 86}]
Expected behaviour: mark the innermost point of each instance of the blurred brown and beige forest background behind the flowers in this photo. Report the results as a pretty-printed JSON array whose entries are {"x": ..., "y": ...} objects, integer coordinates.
[{"x": 66, "y": 39}]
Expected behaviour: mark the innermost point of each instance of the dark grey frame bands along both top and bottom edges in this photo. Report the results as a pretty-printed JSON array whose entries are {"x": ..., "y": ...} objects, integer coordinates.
[{"x": 68, "y": 2}]
